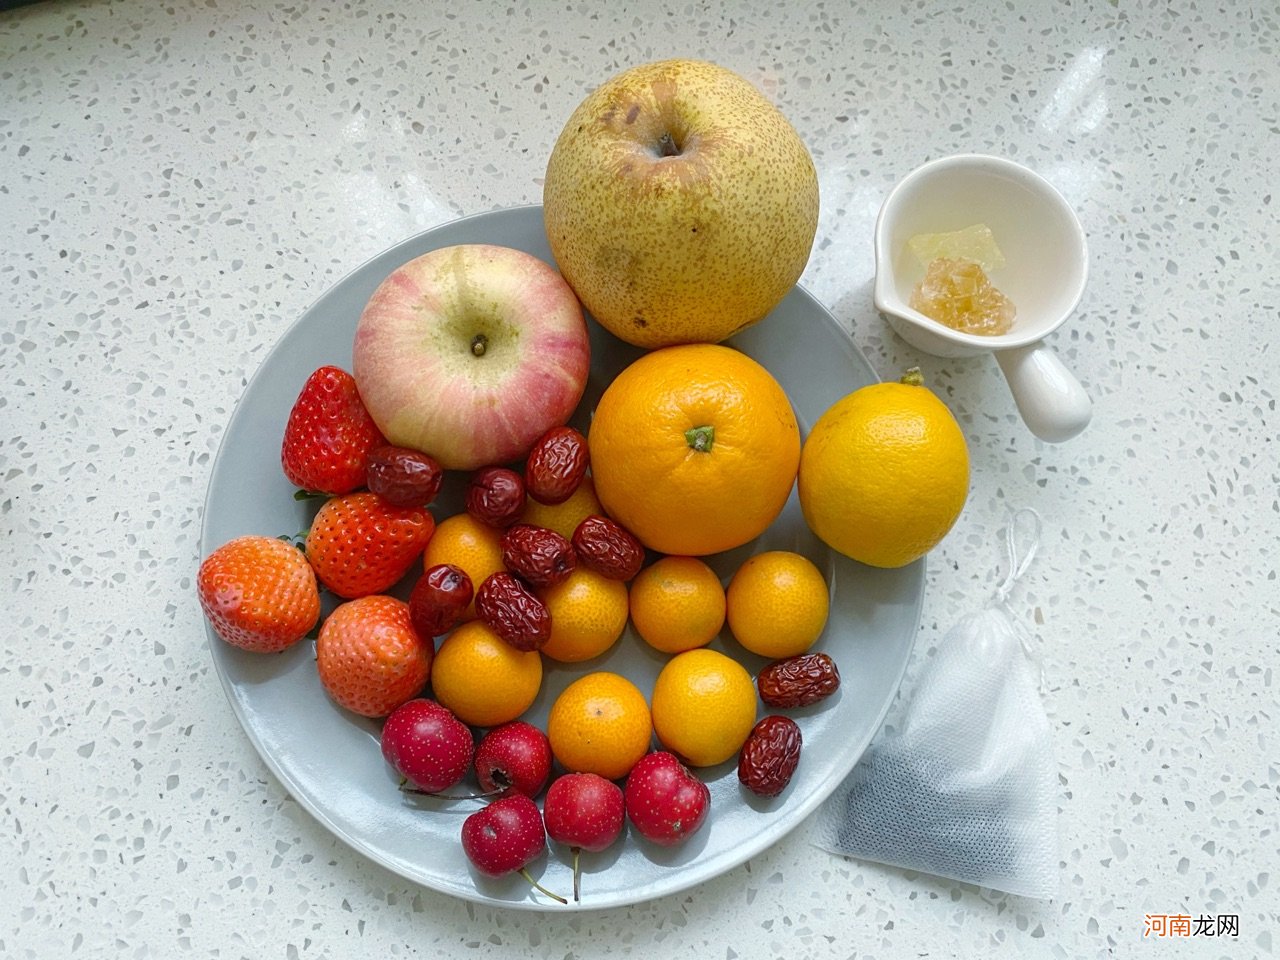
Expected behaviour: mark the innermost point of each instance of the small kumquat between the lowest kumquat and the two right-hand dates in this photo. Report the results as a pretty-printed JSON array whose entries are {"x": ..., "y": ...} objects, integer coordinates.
[{"x": 703, "y": 707}]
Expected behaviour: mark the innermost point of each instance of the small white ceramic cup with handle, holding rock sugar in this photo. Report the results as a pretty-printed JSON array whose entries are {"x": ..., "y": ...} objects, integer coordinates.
[{"x": 1045, "y": 276}]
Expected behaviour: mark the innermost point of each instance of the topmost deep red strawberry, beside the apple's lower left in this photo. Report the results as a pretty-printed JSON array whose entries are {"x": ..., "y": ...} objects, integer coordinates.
[{"x": 330, "y": 435}]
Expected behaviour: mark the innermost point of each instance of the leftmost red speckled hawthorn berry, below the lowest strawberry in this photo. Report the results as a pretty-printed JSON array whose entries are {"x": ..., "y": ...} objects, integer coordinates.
[{"x": 428, "y": 746}]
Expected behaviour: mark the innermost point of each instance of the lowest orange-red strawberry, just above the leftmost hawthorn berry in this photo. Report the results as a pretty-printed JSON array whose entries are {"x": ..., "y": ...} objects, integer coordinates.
[{"x": 371, "y": 659}]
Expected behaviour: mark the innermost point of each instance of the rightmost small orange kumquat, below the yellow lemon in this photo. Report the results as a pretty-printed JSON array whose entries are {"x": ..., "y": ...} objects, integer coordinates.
[{"x": 778, "y": 605}]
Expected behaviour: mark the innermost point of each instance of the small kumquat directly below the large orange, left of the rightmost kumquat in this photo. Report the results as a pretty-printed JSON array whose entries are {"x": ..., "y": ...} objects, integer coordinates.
[{"x": 678, "y": 604}]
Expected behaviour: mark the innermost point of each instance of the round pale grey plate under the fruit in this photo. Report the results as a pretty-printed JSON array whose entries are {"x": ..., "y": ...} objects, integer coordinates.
[{"x": 330, "y": 760}]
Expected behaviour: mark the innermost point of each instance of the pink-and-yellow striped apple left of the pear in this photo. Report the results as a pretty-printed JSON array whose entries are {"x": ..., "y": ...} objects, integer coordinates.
[{"x": 470, "y": 354}]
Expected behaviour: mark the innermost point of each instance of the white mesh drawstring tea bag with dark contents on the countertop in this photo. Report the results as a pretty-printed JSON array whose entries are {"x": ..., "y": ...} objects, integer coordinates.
[{"x": 964, "y": 785}]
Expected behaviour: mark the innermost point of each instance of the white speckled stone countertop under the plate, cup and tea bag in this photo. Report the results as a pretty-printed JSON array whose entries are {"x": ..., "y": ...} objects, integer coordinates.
[{"x": 180, "y": 181}]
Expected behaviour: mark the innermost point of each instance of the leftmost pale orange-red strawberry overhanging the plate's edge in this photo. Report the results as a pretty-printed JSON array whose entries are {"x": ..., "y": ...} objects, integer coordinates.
[{"x": 259, "y": 593}]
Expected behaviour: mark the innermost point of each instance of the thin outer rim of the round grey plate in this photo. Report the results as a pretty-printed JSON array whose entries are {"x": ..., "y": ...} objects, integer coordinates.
[{"x": 680, "y": 881}]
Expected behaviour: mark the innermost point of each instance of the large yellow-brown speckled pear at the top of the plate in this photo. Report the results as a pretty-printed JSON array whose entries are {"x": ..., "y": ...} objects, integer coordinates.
[{"x": 680, "y": 204}]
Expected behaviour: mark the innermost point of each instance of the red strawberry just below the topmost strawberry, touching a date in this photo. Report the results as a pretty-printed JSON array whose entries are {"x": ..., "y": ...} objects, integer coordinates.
[{"x": 359, "y": 545}]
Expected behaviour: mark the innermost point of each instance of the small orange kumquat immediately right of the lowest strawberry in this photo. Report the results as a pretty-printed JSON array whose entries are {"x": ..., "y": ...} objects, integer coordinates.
[{"x": 483, "y": 679}]
